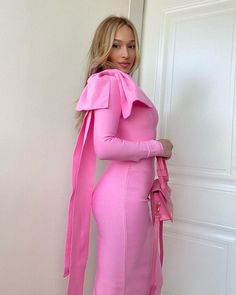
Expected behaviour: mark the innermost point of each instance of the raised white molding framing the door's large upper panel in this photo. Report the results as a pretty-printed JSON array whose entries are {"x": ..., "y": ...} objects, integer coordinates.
[{"x": 228, "y": 173}]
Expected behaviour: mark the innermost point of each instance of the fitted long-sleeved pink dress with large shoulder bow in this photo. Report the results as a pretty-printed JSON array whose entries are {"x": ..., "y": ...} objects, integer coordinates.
[{"x": 124, "y": 125}]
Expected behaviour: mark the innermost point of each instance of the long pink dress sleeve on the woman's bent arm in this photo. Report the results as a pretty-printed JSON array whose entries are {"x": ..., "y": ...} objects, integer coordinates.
[{"x": 106, "y": 143}]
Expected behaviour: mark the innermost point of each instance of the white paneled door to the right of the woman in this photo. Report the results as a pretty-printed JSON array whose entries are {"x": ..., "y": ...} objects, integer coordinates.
[{"x": 188, "y": 69}]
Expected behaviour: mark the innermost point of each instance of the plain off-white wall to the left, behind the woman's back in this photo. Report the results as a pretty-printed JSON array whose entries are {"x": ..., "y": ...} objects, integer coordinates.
[{"x": 42, "y": 53}]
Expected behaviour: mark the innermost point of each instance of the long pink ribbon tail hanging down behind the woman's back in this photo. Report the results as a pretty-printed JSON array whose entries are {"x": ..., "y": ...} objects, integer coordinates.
[{"x": 83, "y": 174}]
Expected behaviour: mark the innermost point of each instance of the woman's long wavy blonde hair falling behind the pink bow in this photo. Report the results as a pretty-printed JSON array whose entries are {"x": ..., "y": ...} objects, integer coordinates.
[{"x": 101, "y": 47}]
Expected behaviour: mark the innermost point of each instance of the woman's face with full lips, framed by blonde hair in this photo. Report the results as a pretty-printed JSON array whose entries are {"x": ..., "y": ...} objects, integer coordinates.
[{"x": 123, "y": 50}]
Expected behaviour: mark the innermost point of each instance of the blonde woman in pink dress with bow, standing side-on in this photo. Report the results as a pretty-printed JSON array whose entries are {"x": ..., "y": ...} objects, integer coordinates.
[{"x": 119, "y": 125}]
